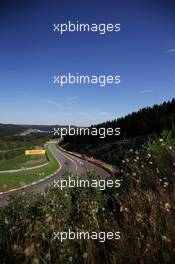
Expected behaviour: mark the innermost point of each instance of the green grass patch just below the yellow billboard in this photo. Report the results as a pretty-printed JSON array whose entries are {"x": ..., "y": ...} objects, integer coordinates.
[{"x": 22, "y": 161}]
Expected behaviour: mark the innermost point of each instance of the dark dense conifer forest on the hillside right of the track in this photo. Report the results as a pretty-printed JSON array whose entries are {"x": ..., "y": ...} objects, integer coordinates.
[{"x": 136, "y": 129}]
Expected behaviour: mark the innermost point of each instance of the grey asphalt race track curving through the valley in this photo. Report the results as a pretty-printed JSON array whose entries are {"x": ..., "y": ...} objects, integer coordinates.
[{"x": 69, "y": 164}]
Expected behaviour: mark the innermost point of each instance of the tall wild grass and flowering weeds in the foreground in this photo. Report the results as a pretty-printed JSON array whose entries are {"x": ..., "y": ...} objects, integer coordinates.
[{"x": 142, "y": 209}]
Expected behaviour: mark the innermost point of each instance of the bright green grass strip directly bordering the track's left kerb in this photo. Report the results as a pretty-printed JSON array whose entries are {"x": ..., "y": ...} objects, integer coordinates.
[{"x": 13, "y": 180}]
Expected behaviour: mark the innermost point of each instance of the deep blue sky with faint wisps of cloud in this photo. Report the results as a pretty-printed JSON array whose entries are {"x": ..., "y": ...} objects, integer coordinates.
[{"x": 143, "y": 53}]
